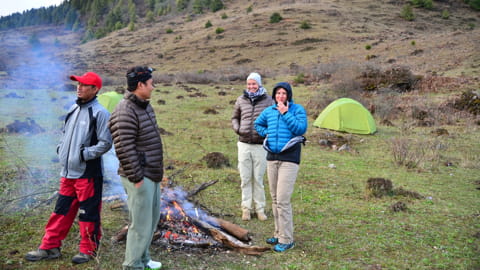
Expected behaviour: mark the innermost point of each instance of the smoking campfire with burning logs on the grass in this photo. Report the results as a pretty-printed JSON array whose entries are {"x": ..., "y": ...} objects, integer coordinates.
[{"x": 184, "y": 225}]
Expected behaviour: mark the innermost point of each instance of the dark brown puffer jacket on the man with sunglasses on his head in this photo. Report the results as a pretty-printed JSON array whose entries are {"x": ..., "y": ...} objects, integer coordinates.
[{"x": 137, "y": 140}]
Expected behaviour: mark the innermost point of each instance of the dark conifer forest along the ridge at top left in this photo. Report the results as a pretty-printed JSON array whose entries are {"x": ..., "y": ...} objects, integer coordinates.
[{"x": 100, "y": 17}]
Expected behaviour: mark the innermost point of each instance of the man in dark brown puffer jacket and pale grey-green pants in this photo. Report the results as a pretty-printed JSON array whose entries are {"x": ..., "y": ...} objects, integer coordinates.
[{"x": 138, "y": 146}]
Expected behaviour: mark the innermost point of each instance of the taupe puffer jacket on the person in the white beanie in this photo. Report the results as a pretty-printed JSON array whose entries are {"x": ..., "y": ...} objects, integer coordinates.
[{"x": 244, "y": 114}]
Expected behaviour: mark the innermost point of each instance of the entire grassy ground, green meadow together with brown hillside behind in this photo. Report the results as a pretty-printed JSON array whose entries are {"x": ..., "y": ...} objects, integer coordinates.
[{"x": 409, "y": 74}]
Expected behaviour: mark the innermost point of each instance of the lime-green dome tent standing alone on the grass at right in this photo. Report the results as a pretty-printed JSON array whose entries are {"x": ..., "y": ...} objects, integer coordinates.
[{"x": 346, "y": 115}]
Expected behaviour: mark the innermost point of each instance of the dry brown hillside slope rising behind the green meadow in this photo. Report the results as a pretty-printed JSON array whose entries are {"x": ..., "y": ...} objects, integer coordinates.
[{"x": 340, "y": 32}]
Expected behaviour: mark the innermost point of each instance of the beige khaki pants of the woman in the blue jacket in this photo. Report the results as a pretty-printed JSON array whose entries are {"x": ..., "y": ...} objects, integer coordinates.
[{"x": 281, "y": 179}]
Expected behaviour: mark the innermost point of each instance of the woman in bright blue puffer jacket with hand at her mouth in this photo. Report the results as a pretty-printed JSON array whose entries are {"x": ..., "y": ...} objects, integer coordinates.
[{"x": 283, "y": 124}]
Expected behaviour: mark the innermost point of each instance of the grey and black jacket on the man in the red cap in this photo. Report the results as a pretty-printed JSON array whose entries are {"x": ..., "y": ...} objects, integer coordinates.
[{"x": 85, "y": 138}]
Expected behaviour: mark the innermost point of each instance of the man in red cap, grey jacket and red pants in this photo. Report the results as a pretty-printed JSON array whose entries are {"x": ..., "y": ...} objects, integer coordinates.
[{"x": 85, "y": 139}]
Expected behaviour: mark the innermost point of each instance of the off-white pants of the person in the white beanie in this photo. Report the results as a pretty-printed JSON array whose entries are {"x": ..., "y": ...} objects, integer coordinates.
[{"x": 252, "y": 162}]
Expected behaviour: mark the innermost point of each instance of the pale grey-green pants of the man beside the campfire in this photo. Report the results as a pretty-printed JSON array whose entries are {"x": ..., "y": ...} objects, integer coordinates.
[{"x": 144, "y": 213}]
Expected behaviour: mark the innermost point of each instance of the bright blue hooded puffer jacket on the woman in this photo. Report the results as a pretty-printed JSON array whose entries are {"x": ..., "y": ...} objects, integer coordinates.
[{"x": 280, "y": 129}]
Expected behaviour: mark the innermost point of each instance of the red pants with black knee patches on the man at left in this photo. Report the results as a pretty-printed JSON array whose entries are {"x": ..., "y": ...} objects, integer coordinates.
[{"x": 82, "y": 195}]
